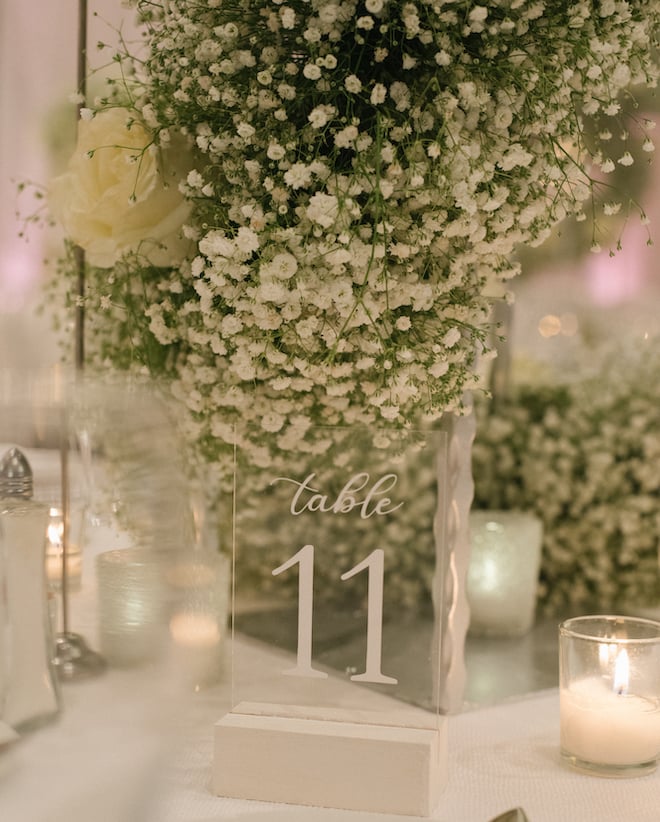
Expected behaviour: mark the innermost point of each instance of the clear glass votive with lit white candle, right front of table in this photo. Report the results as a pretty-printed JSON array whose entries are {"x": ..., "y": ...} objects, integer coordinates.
[{"x": 609, "y": 694}]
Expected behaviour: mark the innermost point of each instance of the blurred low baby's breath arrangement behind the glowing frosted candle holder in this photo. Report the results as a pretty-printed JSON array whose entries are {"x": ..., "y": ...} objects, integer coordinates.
[{"x": 583, "y": 456}]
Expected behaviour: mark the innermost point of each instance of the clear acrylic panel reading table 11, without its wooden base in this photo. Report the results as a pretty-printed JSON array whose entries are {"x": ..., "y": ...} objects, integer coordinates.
[{"x": 339, "y": 558}]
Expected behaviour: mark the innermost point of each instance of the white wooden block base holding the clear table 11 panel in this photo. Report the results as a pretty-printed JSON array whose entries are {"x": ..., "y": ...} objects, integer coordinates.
[{"x": 331, "y": 760}]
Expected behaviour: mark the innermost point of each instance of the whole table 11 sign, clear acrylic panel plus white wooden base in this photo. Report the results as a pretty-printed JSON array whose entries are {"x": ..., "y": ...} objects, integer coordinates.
[{"x": 338, "y": 619}]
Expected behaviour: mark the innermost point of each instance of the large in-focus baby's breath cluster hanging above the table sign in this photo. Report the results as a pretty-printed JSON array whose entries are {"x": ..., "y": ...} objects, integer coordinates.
[{"x": 362, "y": 172}]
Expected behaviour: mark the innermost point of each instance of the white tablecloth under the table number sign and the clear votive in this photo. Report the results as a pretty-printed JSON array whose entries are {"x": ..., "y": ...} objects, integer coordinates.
[{"x": 109, "y": 759}]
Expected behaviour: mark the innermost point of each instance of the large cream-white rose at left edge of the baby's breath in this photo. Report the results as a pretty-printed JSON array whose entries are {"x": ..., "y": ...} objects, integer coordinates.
[{"x": 115, "y": 197}]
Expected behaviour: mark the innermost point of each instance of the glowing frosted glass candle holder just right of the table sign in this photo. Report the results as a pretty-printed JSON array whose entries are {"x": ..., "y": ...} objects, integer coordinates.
[{"x": 503, "y": 572}]
